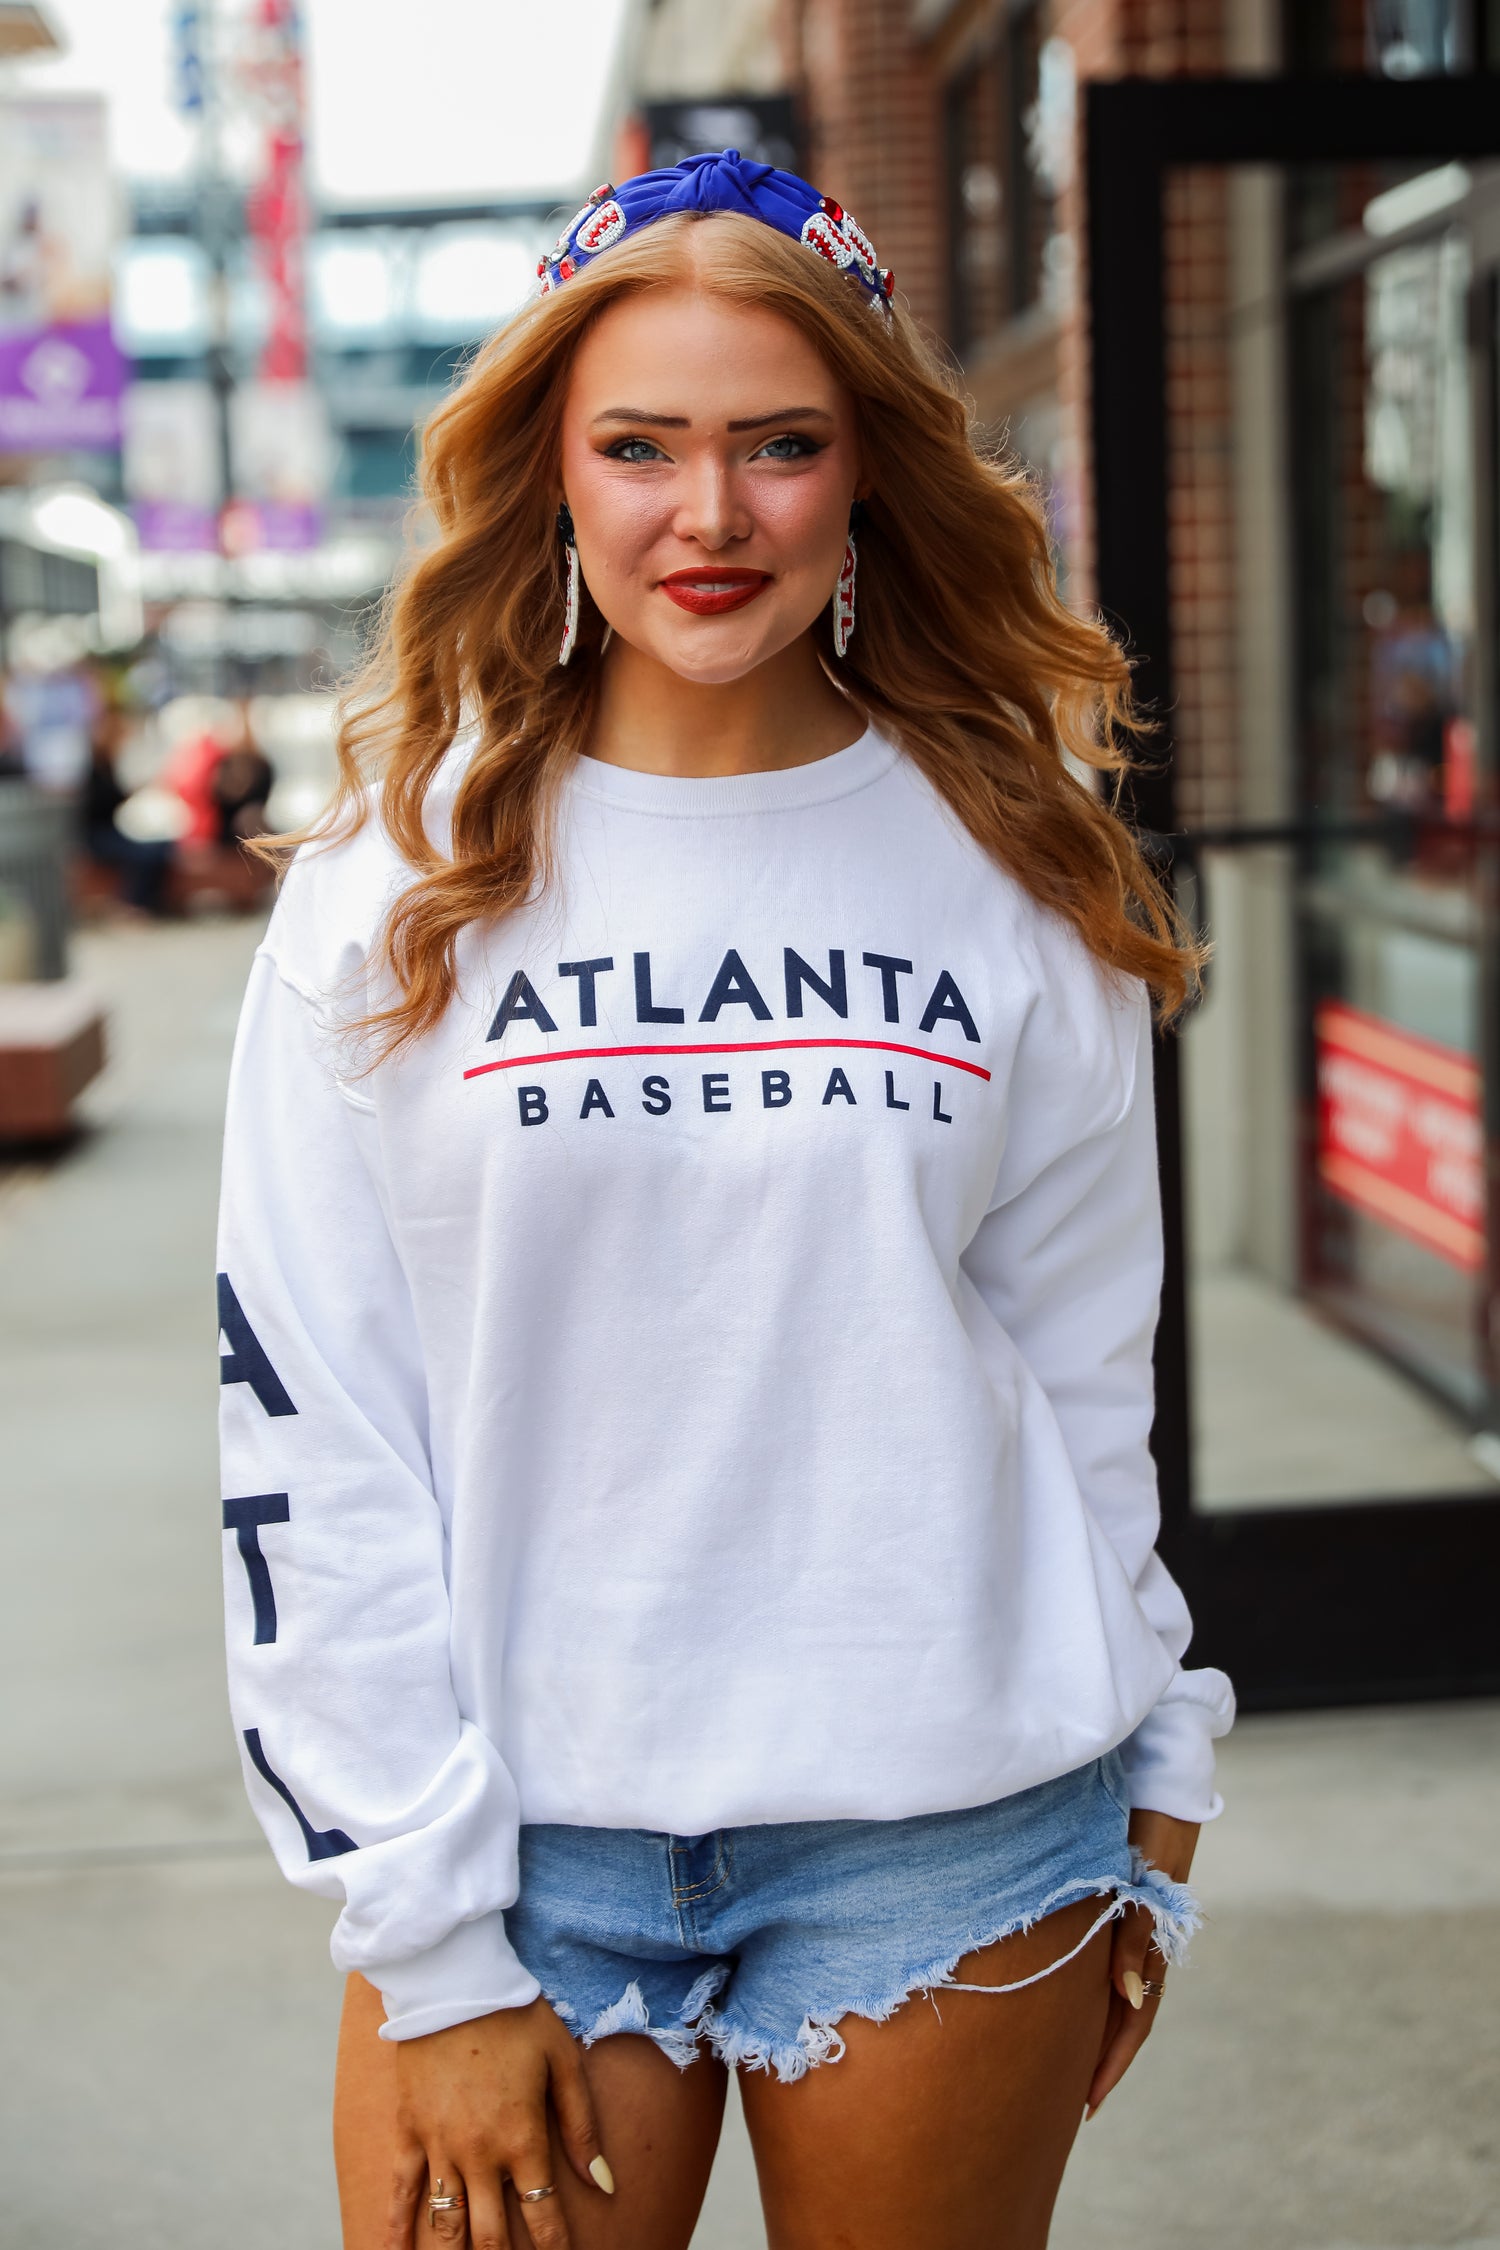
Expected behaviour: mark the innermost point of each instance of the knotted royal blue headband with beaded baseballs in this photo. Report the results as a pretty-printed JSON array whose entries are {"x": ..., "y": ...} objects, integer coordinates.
[{"x": 721, "y": 183}]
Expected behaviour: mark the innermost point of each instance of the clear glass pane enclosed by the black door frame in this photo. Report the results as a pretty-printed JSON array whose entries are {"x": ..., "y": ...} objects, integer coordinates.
[{"x": 1335, "y": 1162}]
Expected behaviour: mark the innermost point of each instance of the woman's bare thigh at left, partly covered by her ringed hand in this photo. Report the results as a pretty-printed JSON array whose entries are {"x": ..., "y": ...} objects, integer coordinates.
[{"x": 658, "y": 2125}]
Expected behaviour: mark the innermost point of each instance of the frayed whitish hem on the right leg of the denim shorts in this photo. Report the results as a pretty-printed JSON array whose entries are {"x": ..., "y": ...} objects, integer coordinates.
[{"x": 1175, "y": 1916}]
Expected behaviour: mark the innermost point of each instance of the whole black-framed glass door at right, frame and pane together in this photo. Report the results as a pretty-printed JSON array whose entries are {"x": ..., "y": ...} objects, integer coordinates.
[{"x": 1296, "y": 350}]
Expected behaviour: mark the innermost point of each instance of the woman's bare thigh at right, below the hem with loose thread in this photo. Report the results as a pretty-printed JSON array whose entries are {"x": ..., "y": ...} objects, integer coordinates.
[{"x": 952, "y": 2121}]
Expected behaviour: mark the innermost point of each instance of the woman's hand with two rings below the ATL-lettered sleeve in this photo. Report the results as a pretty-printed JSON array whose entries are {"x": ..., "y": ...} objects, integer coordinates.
[{"x": 471, "y": 2109}]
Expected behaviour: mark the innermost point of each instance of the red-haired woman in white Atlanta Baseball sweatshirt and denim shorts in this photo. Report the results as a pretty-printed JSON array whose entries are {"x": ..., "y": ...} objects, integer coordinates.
[{"x": 692, "y": 1259}]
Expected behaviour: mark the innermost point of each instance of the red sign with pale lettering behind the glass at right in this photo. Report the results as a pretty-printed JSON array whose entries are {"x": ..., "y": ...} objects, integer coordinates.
[{"x": 1400, "y": 1131}]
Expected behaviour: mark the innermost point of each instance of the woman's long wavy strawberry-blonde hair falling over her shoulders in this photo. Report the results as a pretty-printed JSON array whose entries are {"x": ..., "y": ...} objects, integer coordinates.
[{"x": 966, "y": 656}]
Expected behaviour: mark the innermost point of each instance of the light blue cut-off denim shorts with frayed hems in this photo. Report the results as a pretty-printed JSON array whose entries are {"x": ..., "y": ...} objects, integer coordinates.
[{"x": 759, "y": 1941}]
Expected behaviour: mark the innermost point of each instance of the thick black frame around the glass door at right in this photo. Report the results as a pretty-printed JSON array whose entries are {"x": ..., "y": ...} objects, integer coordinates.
[{"x": 1364, "y": 1601}]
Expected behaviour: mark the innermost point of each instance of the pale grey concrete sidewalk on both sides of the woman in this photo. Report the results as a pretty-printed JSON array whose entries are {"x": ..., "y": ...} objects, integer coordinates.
[{"x": 1328, "y": 2073}]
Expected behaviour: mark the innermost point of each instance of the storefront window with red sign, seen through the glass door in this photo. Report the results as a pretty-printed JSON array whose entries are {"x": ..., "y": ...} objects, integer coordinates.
[{"x": 1391, "y": 487}]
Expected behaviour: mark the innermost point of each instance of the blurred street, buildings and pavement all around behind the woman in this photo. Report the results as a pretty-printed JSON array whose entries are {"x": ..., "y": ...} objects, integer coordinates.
[{"x": 1227, "y": 278}]
